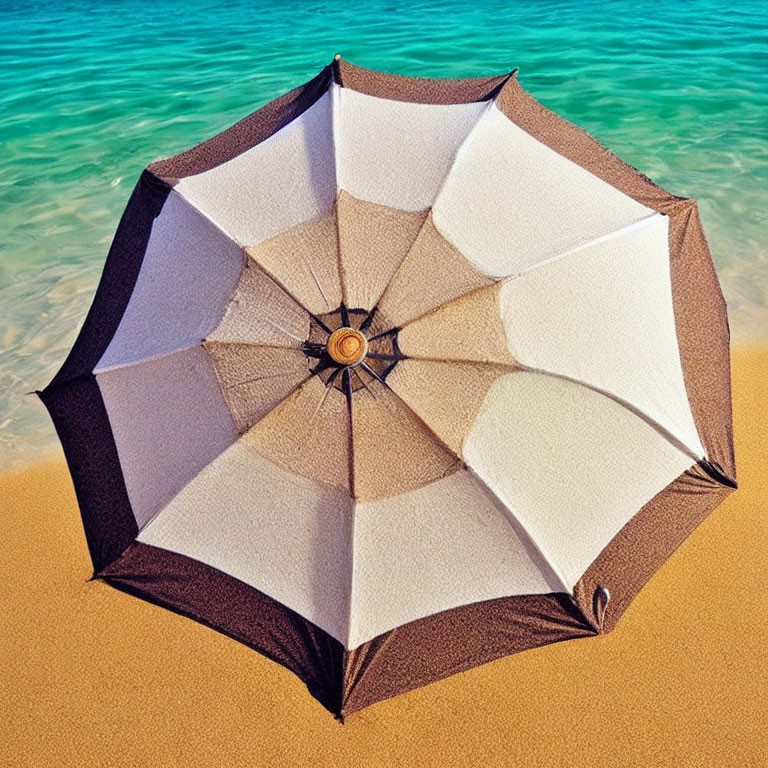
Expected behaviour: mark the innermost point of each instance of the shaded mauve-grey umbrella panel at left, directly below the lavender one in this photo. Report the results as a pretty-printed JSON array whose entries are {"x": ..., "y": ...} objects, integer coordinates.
[{"x": 169, "y": 421}]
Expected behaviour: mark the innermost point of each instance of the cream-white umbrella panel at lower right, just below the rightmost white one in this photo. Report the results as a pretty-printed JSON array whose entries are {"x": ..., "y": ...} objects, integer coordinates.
[{"x": 602, "y": 464}]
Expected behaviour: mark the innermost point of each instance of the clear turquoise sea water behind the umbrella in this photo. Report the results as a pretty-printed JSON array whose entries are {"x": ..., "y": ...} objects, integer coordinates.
[{"x": 93, "y": 92}]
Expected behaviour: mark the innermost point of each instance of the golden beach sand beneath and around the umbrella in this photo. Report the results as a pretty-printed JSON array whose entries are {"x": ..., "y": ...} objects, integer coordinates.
[{"x": 92, "y": 677}]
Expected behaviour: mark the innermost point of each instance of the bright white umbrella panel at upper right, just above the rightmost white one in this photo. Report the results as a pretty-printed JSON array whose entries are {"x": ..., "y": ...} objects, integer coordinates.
[{"x": 557, "y": 205}]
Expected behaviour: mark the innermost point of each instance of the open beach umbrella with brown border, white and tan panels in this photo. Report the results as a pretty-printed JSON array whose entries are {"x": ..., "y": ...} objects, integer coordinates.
[{"x": 394, "y": 377}]
